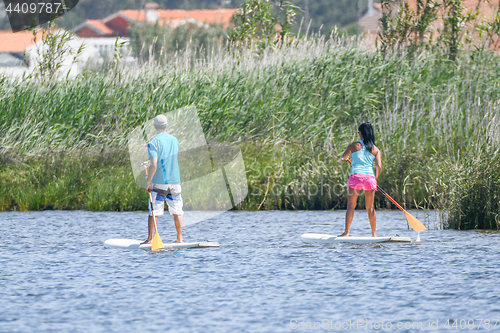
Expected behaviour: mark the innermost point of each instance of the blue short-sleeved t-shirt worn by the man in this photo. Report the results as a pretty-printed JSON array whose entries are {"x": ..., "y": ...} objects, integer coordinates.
[{"x": 165, "y": 148}]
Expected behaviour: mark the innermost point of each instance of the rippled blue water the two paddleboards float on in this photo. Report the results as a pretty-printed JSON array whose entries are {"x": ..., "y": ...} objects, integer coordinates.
[{"x": 56, "y": 276}]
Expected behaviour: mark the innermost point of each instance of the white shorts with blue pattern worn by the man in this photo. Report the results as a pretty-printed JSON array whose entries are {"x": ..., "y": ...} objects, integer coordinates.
[{"x": 170, "y": 193}]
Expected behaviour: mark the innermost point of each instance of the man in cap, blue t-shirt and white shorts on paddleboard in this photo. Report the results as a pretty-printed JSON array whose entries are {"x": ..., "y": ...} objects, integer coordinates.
[{"x": 164, "y": 180}]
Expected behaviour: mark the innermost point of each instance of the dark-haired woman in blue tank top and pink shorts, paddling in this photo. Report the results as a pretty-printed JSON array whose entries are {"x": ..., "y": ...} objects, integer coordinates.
[{"x": 362, "y": 177}]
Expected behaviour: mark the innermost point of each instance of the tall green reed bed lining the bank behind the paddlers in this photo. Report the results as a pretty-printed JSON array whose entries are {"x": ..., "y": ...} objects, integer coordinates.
[{"x": 292, "y": 109}]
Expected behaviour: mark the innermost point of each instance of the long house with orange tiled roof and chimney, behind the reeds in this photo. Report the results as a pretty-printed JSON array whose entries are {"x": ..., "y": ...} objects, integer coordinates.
[{"x": 118, "y": 24}]
